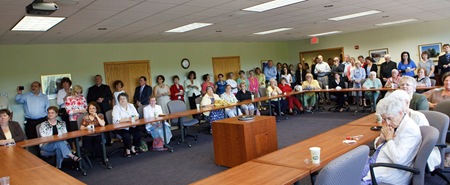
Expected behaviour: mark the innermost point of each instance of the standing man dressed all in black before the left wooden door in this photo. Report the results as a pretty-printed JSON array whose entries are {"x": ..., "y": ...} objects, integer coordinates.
[{"x": 101, "y": 94}]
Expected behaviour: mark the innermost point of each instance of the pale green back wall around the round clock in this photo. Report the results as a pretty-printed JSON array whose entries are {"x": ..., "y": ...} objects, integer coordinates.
[{"x": 23, "y": 64}]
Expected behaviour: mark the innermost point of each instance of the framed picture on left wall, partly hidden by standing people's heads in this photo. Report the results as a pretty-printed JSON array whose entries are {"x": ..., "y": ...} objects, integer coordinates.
[{"x": 51, "y": 84}]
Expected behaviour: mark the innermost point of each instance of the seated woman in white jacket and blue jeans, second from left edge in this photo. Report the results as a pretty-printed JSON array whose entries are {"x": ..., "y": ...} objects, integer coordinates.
[{"x": 59, "y": 148}]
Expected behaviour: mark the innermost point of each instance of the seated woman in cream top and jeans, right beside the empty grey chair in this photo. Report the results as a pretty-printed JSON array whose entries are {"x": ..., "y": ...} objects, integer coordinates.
[{"x": 208, "y": 101}]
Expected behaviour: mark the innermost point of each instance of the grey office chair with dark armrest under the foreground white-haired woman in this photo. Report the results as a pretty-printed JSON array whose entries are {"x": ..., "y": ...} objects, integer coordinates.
[{"x": 429, "y": 138}]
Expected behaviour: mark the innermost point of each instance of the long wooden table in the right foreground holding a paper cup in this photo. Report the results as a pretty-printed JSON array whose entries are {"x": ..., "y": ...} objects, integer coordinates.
[{"x": 293, "y": 156}]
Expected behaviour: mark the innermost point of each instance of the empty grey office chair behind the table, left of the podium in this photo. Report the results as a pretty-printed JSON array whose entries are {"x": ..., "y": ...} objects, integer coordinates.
[{"x": 183, "y": 122}]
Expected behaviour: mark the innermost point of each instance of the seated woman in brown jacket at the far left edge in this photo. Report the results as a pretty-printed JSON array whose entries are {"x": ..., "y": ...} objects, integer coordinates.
[{"x": 11, "y": 131}]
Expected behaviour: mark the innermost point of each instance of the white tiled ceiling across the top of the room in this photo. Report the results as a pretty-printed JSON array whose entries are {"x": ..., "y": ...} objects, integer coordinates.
[{"x": 146, "y": 20}]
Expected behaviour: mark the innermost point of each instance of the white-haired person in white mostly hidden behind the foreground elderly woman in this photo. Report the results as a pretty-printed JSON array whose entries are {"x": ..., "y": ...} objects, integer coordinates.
[{"x": 435, "y": 157}]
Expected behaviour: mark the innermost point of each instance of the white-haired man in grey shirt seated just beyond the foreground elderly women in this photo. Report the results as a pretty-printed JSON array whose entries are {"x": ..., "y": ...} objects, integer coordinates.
[{"x": 417, "y": 101}]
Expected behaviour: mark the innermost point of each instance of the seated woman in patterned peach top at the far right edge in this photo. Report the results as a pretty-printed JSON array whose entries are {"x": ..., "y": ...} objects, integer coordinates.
[{"x": 436, "y": 96}]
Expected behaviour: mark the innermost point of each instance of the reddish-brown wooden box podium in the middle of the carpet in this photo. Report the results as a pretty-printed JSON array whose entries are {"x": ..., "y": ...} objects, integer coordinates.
[{"x": 236, "y": 142}]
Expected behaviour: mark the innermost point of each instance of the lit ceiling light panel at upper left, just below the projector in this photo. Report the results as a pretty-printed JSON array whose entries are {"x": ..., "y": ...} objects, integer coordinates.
[{"x": 36, "y": 23}]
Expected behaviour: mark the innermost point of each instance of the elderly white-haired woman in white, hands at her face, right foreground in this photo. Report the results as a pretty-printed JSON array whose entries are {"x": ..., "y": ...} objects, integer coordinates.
[{"x": 398, "y": 143}]
